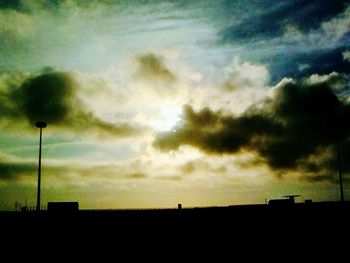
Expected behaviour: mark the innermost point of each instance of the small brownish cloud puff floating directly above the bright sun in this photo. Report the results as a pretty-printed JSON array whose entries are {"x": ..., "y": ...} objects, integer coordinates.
[{"x": 151, "y": 66}]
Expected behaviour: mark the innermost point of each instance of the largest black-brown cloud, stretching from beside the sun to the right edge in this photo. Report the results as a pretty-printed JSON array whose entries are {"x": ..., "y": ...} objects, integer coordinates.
[{"x": 284, "y": 130}]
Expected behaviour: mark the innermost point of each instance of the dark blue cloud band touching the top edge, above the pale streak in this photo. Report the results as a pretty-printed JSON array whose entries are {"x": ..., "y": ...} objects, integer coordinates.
[{"x": 272, "y": 17}]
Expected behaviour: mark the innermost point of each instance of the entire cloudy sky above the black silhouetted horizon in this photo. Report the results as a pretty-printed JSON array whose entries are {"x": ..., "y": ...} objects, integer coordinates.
[{"x": 154, "y": 103}]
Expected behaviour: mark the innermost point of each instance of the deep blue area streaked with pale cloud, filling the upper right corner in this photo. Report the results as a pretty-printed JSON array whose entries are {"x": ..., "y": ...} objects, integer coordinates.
[{"x": 294, "y": 47}]
